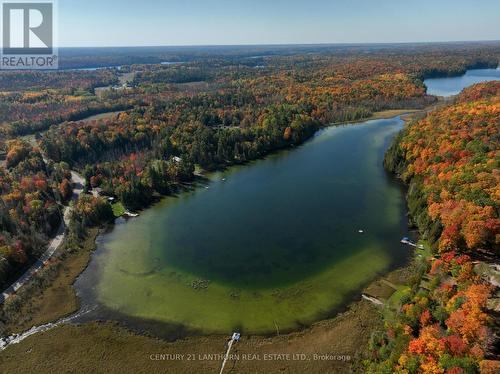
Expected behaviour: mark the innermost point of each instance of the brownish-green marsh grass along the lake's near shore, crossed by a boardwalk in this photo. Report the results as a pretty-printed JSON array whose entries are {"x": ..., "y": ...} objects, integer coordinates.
[{"x": 356, "y": 323}]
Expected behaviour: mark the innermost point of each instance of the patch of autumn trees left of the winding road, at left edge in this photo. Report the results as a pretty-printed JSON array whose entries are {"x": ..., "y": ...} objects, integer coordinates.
[{"x": 32, "y": 193}]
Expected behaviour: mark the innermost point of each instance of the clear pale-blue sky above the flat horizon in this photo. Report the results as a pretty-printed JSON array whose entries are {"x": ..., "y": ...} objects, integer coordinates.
[{"x": 89, "y": 23}]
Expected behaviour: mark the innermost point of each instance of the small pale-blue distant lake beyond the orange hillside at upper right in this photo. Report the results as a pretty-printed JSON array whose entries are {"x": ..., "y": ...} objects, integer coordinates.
[{"x": 453, "y": 85}]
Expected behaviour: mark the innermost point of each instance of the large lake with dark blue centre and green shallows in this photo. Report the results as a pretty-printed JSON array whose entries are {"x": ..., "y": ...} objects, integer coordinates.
[{"x": 272, "y": 244}]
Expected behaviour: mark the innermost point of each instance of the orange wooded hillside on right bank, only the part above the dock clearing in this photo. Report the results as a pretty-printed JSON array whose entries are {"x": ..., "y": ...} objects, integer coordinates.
[{"x": 454, "y": 153}]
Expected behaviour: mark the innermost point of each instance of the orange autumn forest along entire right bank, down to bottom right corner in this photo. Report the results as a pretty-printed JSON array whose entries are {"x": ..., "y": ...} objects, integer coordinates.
[{"x": 450, "y": 160}]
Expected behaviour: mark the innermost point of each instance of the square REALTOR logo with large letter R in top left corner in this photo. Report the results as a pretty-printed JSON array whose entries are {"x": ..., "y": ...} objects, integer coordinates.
[{"x": 28, "y": 35}]
